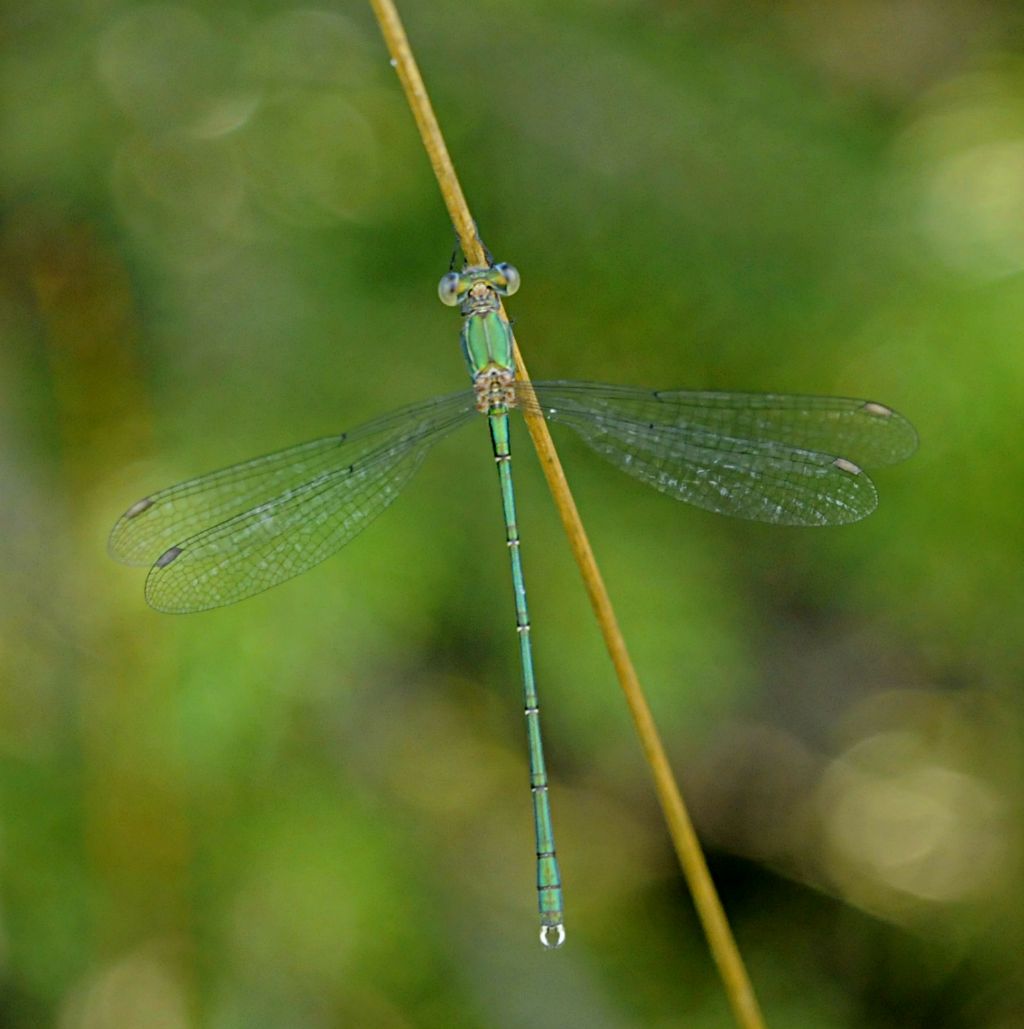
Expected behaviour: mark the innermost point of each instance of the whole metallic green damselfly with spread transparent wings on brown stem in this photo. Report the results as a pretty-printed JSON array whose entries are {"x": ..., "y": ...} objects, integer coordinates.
[{"x": 778, "y": 458}]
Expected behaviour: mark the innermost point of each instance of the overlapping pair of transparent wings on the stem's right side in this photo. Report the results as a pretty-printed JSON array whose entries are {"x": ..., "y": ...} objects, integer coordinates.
[{"x": 785, "y": 459}]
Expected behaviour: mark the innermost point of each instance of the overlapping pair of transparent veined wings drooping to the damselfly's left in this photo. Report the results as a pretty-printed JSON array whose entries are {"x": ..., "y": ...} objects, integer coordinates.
[{"x": 236, "y": 533}]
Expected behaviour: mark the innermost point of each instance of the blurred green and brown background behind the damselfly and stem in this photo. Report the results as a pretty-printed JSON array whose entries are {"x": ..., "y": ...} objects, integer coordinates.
[{"x": 221, "y": 236}]
